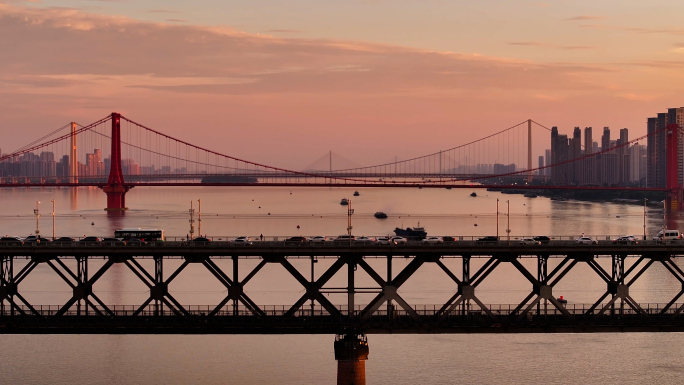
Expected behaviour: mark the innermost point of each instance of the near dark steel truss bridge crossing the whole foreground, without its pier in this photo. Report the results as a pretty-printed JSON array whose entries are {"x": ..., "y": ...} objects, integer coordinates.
[{"x": 387, "y": 312}]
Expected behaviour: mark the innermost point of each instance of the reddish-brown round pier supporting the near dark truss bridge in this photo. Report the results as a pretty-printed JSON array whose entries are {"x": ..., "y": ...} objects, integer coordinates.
[{"x": 351, "y": 353}]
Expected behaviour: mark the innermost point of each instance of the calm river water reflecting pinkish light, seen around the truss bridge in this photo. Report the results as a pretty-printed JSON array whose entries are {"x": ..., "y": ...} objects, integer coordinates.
[{"x": 227, "y": 212}]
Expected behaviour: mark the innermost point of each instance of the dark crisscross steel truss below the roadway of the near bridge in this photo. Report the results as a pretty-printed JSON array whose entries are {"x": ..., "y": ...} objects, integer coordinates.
[{"x": 84, "y": 302}]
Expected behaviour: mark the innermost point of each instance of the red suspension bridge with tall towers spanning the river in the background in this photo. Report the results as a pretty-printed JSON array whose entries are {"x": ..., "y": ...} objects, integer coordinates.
[{"x": 116, "y": 154}]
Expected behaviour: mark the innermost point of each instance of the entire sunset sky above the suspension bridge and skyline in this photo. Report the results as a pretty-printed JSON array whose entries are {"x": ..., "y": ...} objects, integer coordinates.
[{"x": 284, "y": 82}]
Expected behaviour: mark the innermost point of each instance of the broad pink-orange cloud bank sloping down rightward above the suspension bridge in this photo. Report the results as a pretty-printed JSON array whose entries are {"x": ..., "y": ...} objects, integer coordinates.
[{"x": 247, "y": 94}]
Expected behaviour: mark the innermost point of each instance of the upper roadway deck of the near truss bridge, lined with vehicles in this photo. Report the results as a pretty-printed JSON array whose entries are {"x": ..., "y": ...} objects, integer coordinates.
[{"x": 269, "y": 249}]
